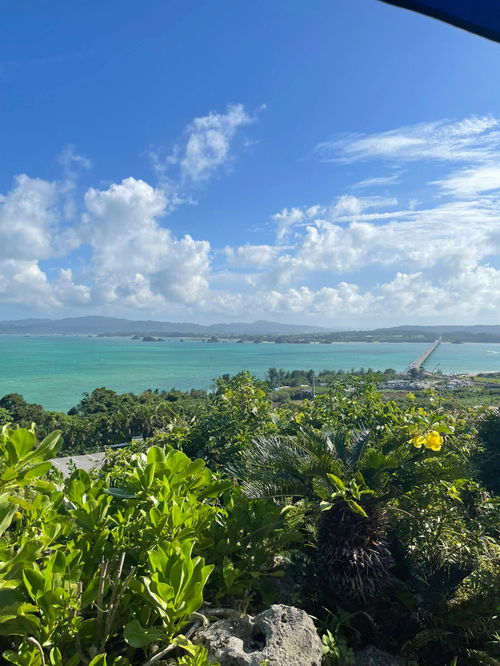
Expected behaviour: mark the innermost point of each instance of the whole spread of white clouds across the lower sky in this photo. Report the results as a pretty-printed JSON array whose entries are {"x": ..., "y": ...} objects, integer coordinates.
[{"x": 417, "y": 239}]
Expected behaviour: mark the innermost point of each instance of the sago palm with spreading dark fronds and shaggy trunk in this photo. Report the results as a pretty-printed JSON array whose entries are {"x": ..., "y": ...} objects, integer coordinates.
[{"x": 352, "y": 478}]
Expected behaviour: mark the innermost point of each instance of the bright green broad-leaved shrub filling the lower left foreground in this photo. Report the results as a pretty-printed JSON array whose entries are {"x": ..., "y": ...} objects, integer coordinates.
[{"x": 111, "y": 568}]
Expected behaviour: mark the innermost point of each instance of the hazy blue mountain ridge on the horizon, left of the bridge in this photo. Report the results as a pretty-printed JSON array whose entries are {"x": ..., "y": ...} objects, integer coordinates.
[{"x": 113, "y": 325}]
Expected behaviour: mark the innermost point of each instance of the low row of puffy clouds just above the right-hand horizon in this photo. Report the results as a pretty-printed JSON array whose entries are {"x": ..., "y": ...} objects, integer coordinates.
[{"x": 405, "y": 297}]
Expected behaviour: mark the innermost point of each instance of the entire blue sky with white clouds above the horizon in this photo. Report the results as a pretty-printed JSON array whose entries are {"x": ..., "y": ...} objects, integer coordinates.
[{"x": 334, "y": 162}]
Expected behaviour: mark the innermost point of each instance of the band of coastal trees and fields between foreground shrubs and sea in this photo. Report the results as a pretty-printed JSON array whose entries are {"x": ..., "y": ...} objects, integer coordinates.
[{"x": 104, "y": 417}]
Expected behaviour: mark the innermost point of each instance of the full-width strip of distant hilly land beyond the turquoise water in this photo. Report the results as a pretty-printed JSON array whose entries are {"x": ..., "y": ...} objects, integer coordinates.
[{"x": 257, "y": 332}]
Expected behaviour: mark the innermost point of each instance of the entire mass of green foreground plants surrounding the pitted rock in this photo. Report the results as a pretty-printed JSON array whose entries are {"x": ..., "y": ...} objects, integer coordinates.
[{"x": 376, "y": 516}]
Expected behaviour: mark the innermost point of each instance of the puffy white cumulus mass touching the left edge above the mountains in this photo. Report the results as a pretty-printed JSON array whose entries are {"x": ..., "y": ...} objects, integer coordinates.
[{"x": 134, "y": 261}]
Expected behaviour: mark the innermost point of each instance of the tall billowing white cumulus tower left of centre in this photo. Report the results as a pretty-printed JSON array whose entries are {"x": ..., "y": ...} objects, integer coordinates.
[{"x": 135, "y": 260}]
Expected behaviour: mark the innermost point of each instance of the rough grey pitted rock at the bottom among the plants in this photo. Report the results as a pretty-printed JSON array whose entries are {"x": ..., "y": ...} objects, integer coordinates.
[{"x": 282, "y": 635}]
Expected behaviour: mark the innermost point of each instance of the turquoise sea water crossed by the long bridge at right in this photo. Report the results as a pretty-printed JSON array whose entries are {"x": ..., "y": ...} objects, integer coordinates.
[{"x": 55, "y": 371}]
